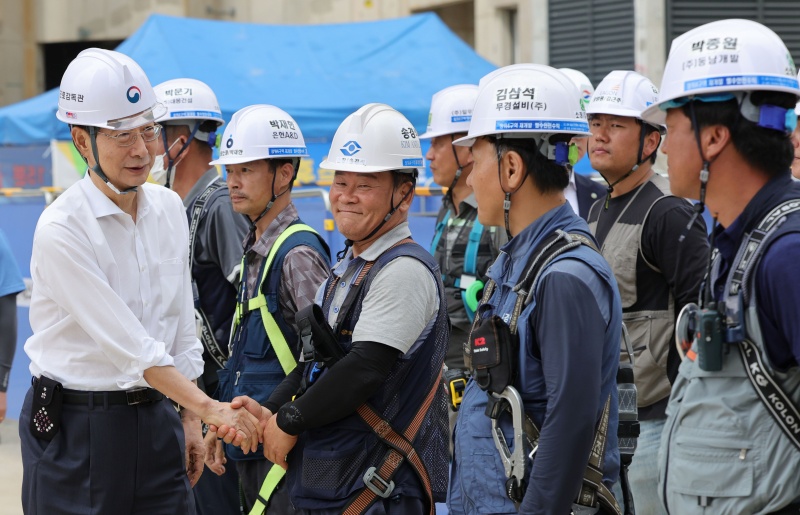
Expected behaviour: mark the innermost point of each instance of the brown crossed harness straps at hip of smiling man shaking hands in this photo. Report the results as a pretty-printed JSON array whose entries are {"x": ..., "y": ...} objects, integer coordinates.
[{"x": 378, "y": 480}]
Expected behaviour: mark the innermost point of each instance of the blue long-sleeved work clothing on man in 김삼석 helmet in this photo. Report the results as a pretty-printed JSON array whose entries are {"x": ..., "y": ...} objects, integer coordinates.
[{"x": 568, "y": 358}]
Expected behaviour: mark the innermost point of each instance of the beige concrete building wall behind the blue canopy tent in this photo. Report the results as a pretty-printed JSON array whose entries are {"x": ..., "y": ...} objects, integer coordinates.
[{"x": 502, "y": 31}]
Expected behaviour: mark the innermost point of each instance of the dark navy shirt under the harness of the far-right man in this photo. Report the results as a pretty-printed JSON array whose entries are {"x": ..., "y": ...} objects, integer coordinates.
[{"x": 777, "y": 280}]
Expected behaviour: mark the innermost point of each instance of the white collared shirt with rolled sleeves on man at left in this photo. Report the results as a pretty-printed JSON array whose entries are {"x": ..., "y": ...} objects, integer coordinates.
[{"x": 111, "y": 298}]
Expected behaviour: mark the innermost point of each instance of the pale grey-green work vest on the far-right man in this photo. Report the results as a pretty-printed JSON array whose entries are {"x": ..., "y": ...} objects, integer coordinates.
[{"x": 722, "y": 451}]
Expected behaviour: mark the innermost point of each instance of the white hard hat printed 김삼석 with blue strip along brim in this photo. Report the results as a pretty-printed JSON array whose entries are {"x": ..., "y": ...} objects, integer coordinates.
[{"x": 526, "y": 101}]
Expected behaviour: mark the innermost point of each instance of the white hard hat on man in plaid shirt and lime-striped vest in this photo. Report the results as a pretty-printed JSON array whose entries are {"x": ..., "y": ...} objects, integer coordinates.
[{"x": 260, "y": 131}]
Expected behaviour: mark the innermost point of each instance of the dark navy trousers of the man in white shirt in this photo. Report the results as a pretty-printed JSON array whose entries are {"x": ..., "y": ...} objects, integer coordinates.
[{"x": 107, "y": 459}]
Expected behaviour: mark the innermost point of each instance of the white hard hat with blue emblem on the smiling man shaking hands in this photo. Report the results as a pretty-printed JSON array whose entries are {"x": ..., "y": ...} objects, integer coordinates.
[{"x": 376, "y": 138}]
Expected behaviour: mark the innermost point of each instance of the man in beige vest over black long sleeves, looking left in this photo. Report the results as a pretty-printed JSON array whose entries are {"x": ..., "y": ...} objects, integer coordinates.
[{"x": 658, "y": 263}]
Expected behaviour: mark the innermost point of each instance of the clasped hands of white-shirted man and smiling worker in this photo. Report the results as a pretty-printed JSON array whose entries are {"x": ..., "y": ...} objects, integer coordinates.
[{"x": 247, "y": 425}]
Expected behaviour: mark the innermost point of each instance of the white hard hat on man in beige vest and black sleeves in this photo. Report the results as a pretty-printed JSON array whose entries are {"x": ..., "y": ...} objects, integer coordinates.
[{"x": 623, "y": 93}]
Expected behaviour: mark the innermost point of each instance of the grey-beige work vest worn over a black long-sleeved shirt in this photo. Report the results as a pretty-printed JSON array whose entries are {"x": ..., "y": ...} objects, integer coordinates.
[{"x": 651, "y": 330}]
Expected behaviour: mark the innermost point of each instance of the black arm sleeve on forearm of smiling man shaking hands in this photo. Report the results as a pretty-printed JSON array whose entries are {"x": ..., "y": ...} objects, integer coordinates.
[{"x": 340, "y": 391}]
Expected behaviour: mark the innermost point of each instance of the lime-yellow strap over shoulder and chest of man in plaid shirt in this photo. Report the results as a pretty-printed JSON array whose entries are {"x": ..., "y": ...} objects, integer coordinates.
[{"x": 276, "y": 337}]
